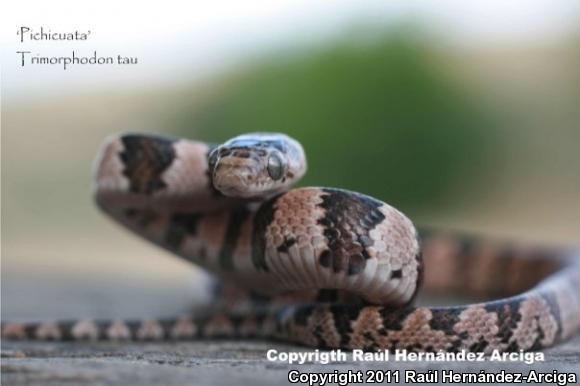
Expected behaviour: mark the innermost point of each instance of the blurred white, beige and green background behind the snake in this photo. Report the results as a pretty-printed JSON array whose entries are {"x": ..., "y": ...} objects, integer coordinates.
[{"x": 464, "y": 115}]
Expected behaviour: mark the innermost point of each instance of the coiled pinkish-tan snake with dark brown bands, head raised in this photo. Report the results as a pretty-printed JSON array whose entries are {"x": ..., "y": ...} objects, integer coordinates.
[{"x": 321, "y": 267}]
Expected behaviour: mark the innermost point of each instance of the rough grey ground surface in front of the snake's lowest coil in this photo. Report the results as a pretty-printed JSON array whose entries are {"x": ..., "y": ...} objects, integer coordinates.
[{"x": 209, "y": 363}]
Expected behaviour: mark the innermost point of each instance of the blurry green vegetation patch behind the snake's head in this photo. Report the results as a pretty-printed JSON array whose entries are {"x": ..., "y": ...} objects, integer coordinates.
[{"x": 381, "y": 116}]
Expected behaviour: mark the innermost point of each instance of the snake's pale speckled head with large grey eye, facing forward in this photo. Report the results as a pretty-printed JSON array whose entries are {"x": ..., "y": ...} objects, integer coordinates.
[{"x": 256, "y": 165}]
